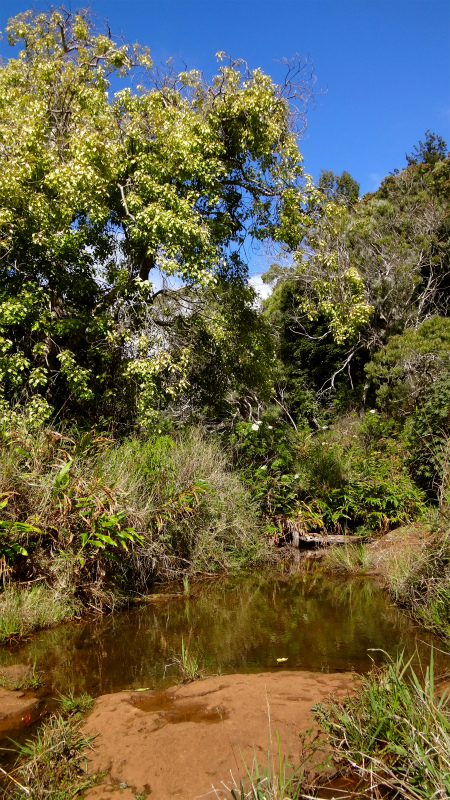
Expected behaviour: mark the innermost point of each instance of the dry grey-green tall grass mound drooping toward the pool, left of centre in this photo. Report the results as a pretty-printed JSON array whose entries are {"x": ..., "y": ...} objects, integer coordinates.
[{"x": 217, "y": 531}]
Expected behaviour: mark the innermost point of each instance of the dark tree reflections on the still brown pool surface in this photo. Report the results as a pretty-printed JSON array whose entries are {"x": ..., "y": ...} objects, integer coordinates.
[{"x": 316, "y": 621}]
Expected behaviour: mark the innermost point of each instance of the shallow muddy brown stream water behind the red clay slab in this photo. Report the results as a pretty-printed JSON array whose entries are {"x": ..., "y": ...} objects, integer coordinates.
[{"x": 268, "y": 622}]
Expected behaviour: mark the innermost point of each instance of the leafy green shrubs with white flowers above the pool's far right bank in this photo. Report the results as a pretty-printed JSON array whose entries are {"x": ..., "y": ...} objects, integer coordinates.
[{"x": 350, "y": 475}]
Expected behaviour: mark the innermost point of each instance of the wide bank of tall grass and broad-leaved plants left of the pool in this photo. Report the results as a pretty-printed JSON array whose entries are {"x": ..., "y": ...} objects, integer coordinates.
[{"x": 96, "y": 518}]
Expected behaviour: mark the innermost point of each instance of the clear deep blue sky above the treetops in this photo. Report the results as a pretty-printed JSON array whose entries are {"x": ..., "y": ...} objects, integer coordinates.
[{"x": 383, "y": 65}]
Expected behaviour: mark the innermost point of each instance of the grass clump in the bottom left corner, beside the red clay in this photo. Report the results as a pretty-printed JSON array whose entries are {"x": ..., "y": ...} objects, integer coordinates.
[{"x": 53, "y": 764}]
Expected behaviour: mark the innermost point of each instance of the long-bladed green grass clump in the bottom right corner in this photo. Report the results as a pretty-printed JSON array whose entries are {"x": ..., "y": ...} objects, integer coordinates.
[{"x": 394, "y": 732}]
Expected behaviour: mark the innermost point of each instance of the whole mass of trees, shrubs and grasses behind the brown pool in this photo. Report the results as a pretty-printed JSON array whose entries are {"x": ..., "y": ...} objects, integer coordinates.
[{"x": 155, "y": 417}]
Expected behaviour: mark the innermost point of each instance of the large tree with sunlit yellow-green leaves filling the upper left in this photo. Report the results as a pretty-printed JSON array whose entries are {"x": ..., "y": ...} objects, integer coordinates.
[{"x": 115, "y": 179}]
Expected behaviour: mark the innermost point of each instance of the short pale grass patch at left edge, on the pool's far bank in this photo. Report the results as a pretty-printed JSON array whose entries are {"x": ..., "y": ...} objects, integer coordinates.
[{"x": 23, "y": 610}]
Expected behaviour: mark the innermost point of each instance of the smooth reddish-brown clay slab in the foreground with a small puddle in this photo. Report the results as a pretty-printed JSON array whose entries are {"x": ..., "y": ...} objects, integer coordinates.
[{"x": 190, "y": 741}]
